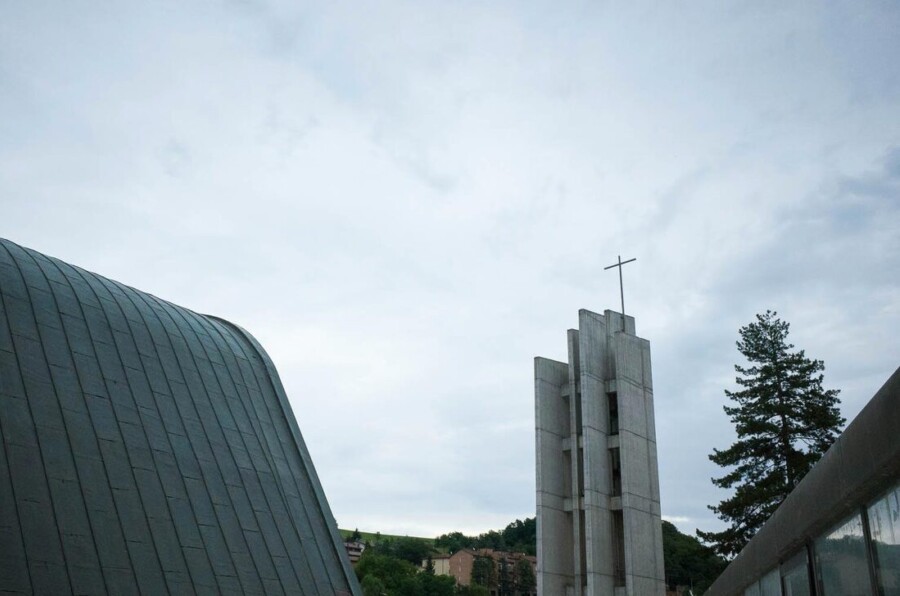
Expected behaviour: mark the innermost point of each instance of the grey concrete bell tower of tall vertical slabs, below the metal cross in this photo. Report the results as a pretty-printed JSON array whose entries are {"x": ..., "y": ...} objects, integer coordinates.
[{"x": 599, "y": 529}]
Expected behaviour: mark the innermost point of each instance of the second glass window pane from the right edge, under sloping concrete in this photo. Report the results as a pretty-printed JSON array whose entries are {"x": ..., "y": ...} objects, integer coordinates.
[{"x": 842, "y": 567}]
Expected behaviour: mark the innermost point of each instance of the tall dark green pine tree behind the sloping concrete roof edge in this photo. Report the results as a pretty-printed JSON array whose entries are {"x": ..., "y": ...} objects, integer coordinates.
[{"x": 785, "y": 420}]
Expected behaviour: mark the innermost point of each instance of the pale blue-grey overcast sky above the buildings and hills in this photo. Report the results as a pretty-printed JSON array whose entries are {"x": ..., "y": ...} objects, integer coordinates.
[{"x": 405, "y": 202}]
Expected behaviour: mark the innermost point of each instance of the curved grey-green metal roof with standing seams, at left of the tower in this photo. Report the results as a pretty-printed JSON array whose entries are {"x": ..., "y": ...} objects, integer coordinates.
[{"x": 147, "y": 448}]
